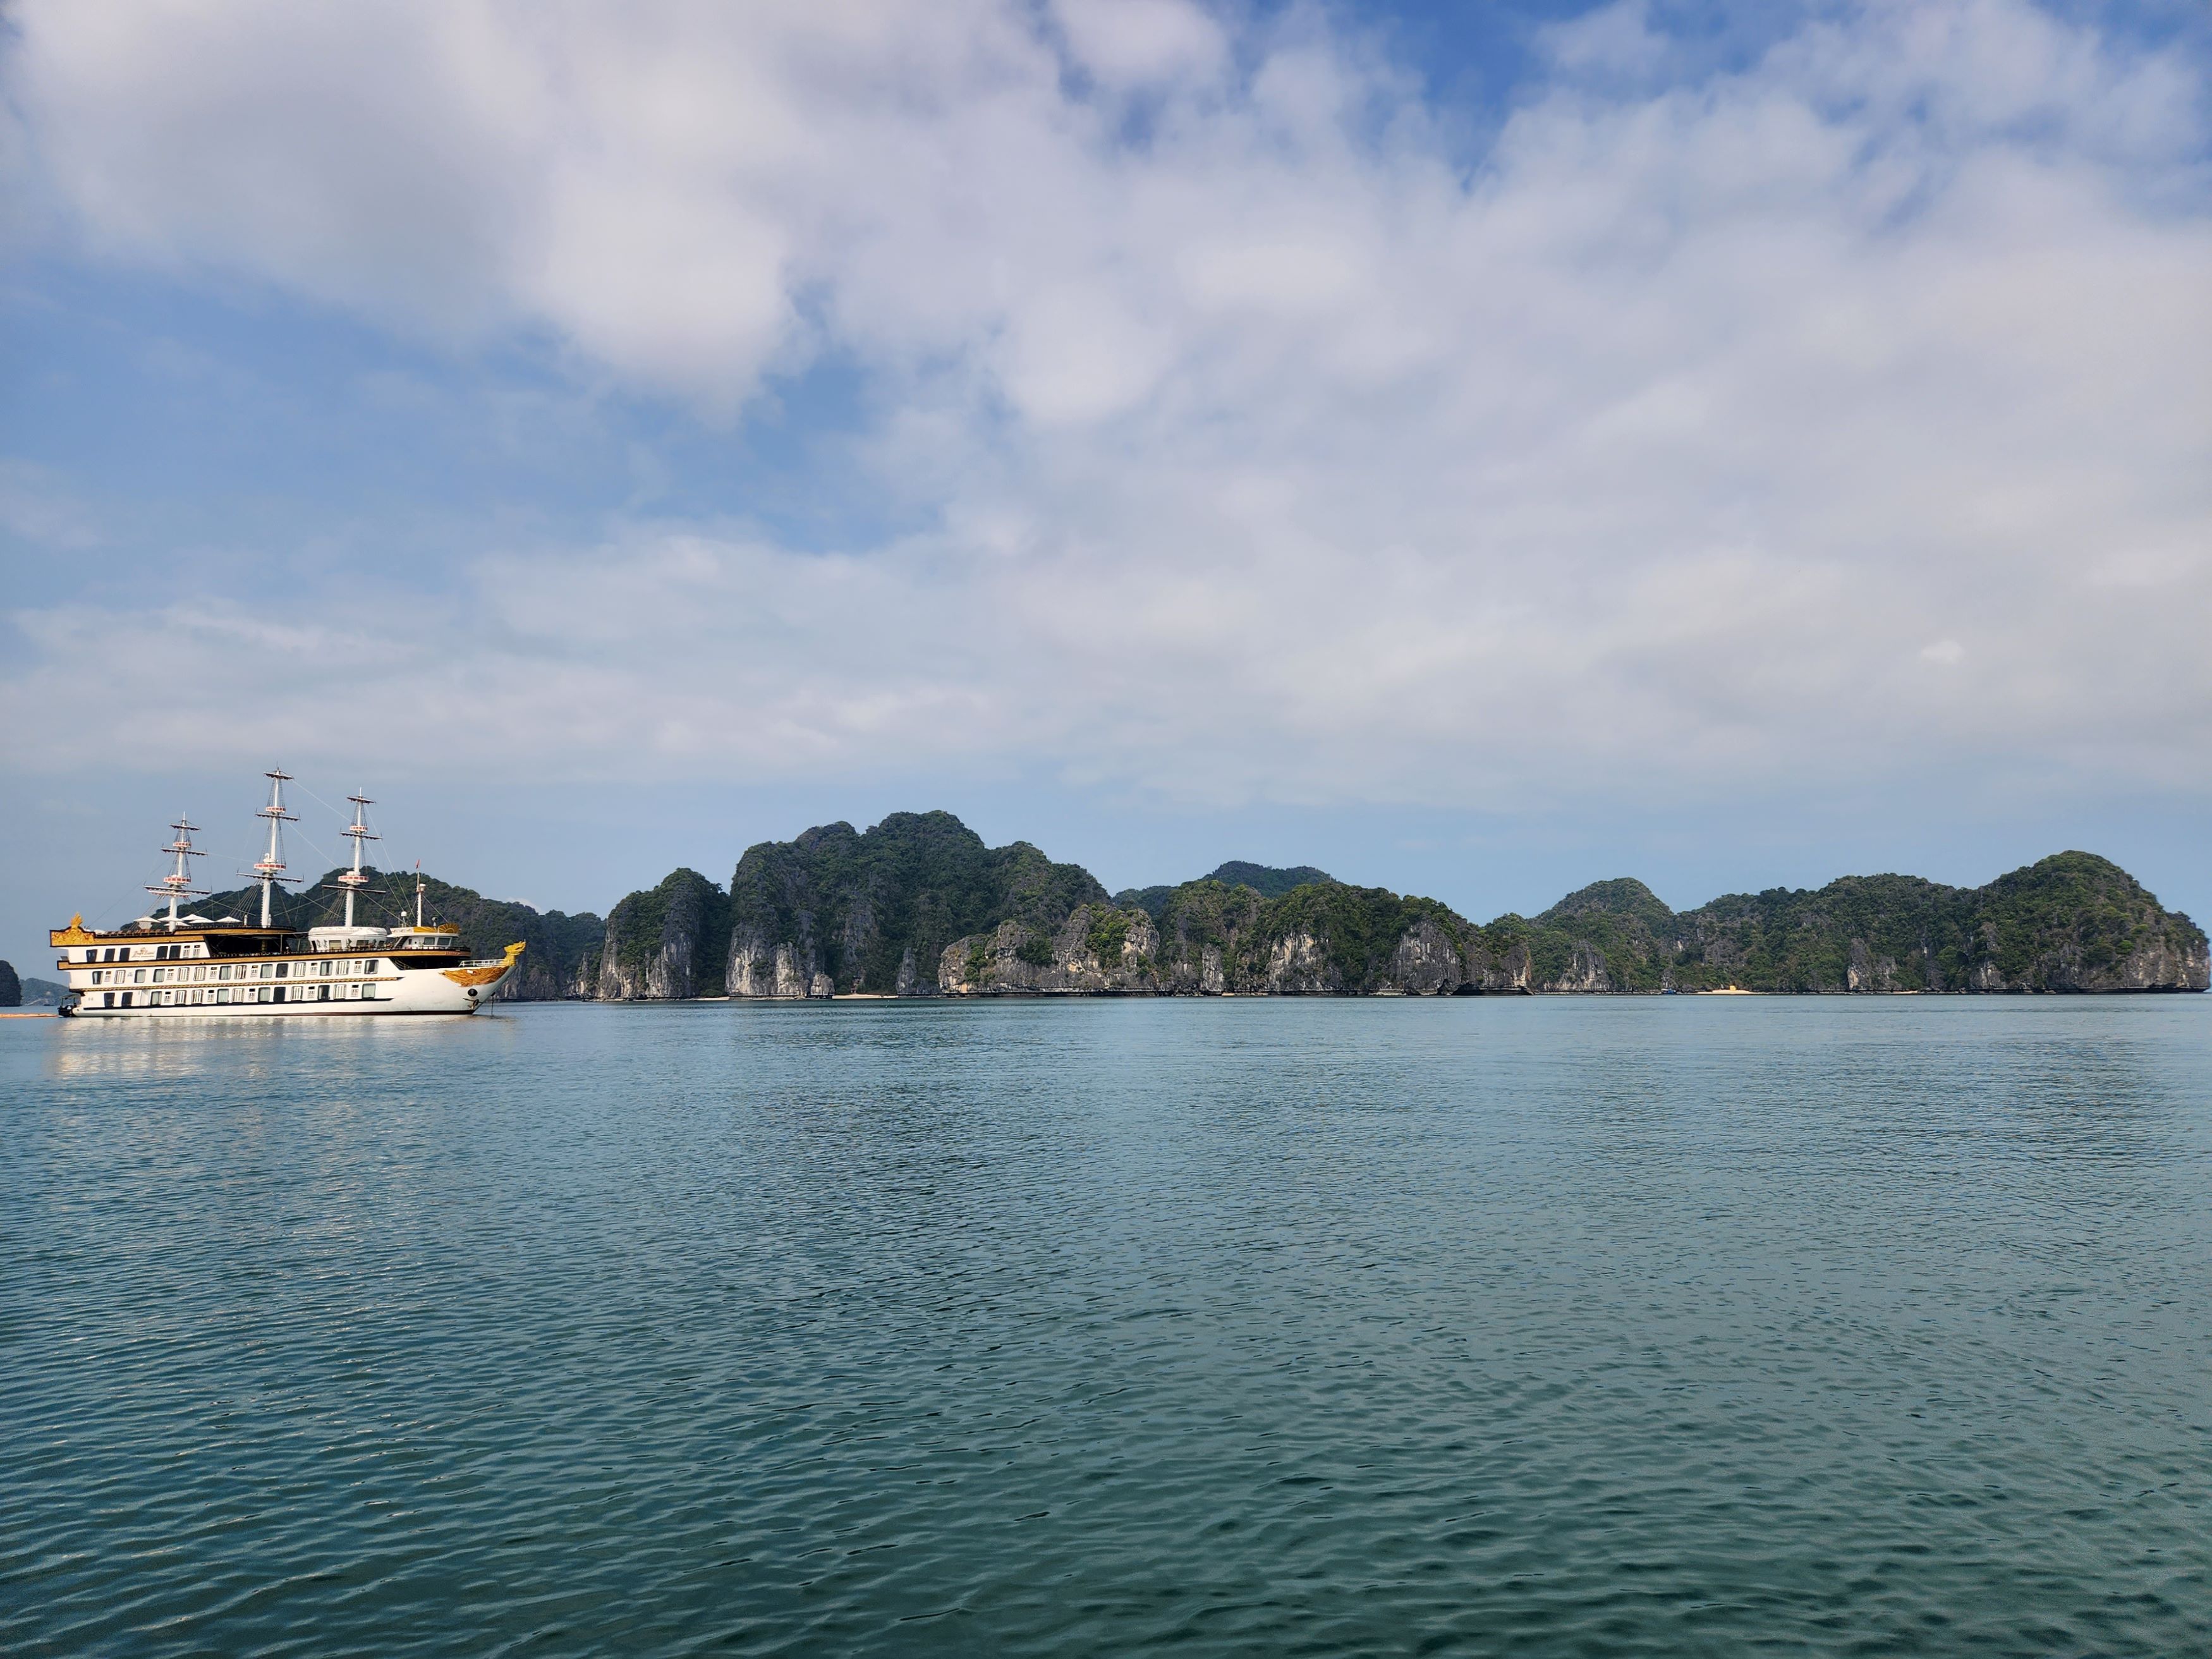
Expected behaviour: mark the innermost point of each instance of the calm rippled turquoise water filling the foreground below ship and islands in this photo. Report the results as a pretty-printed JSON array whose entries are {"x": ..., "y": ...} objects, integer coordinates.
[{"x": 1472, "y": 1326}]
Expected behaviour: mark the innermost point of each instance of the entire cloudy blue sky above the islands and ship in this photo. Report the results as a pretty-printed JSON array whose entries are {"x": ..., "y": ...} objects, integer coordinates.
[{"x": 1474, "y": 450}]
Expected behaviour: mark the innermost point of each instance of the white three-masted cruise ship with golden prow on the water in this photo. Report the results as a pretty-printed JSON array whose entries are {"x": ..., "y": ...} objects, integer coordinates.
[{"x": 180, "y": 966}]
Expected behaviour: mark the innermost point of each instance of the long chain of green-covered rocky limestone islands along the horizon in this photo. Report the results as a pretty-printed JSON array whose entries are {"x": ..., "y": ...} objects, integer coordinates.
[{"x": 919, "y": 908}]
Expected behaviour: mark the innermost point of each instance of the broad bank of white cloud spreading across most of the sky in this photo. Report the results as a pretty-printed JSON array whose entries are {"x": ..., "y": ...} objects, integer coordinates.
[{"x": 1271, "y": 450}]
